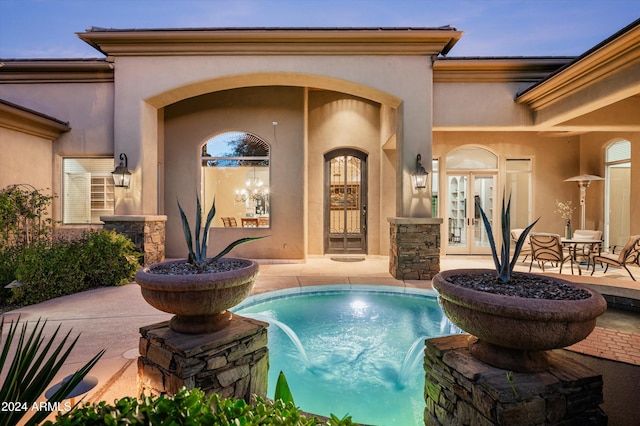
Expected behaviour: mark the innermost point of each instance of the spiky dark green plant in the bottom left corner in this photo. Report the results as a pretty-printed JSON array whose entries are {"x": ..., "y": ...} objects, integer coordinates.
[{"x": 32, "y": 369}]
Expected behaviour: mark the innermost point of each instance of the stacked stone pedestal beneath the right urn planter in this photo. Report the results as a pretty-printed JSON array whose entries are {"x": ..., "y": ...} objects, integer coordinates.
[{"x": 459, "y": 389}]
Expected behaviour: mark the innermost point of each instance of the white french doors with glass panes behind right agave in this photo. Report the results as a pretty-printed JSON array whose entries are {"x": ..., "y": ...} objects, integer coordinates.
[{"x": 466, "y": 193}]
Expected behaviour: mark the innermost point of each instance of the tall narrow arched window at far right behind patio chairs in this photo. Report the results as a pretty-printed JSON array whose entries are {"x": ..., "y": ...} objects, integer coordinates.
[{"x": 618, "y": 193}]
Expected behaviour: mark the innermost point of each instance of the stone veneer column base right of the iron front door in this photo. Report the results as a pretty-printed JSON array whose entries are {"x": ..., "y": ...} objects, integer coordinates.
[{"x": 414, "y": 249}]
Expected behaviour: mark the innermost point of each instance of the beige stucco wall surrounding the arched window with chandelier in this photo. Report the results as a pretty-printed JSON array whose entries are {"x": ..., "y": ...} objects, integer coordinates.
[{"x": 189, "y": 123}]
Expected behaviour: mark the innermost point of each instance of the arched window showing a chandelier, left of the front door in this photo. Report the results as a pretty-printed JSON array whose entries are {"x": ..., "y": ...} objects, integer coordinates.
[{"x": 235, "y": 170}]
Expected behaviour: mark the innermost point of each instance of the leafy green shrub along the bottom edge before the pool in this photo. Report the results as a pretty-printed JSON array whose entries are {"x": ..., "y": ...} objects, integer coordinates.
[{"x": 191, "y": 407}]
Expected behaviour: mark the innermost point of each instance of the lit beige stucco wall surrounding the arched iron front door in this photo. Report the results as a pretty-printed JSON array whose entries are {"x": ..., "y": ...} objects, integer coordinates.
[{"x": 337, "y": 120}]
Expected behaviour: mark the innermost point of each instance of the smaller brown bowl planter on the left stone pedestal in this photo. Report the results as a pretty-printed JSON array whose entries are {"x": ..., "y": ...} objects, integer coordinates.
[{"x": 199, "y": 301}]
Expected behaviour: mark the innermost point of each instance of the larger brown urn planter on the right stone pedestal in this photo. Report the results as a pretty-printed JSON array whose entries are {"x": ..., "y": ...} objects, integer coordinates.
[{"x": 514, "y": 333}]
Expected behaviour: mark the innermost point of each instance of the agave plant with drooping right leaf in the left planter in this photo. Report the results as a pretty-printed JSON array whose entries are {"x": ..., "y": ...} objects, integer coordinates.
[{"x": 198, "y": 251}]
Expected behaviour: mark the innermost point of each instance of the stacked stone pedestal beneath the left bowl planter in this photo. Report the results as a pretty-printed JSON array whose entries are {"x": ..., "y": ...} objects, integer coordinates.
[{"x": 232, "y": 362}]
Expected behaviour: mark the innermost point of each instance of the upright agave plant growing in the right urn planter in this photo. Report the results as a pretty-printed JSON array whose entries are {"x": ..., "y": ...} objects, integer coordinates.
[{"x": 504, "y": 266}]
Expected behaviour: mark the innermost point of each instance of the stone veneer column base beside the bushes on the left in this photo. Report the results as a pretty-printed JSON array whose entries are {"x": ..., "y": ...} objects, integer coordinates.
[{"x": 146, "y": 231}]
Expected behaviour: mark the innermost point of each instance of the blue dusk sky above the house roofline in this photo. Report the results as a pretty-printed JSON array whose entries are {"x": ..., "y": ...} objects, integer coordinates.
[{"x": 46, "y": 28}]
